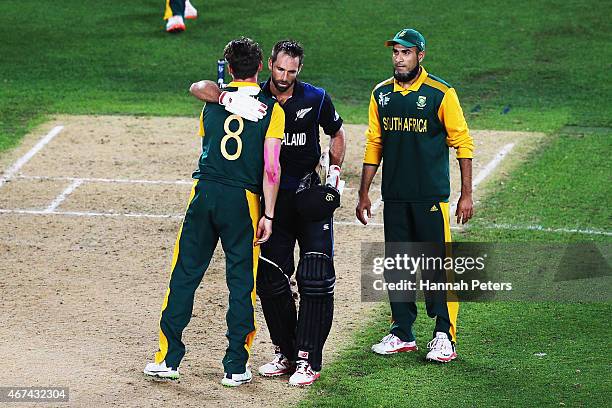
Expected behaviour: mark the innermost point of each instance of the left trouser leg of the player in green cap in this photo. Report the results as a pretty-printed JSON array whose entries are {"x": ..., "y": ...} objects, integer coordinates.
[{"x": 399, "y": 227}]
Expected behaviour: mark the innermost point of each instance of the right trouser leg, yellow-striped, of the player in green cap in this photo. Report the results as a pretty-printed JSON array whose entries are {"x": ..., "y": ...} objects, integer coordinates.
[{"x": 432, "y": 222}]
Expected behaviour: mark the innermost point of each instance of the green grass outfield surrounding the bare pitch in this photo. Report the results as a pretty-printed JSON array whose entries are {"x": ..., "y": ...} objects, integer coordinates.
[{"x": 544, "y": 61}]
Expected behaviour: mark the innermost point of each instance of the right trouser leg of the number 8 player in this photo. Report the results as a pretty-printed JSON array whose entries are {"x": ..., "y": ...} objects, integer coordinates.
[{"x": 236, "y": 215}]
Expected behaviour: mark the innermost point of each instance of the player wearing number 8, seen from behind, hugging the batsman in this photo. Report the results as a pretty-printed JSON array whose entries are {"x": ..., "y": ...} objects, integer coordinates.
[{"x": 239, "y": 161}]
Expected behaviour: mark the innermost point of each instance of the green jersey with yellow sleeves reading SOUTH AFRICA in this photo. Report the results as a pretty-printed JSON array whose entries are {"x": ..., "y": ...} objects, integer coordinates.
[{"x": 410, "y": 131}]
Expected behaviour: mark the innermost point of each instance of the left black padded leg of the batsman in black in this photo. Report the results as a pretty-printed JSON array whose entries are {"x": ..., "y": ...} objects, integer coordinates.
[{"x": 276, "y": 265}]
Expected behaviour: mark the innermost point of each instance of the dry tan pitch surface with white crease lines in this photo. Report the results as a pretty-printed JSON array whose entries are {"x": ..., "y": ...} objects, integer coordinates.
[{"x": 88, "y": 223}]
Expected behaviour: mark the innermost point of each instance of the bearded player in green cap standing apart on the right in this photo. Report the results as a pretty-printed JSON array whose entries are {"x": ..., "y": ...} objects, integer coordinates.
[{"x": 414, "y": 117}]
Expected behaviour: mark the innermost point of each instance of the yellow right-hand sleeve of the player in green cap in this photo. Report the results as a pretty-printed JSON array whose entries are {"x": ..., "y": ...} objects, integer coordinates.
[{"x": 457, "y": 133}]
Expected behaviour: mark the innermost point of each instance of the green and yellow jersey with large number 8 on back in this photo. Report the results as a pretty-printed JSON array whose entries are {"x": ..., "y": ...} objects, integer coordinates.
[{"x": 232, "y": 147}]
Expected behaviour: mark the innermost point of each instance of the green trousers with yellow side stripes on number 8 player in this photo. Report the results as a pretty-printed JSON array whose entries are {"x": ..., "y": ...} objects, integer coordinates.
[{"x": 215, "y": 211}]
